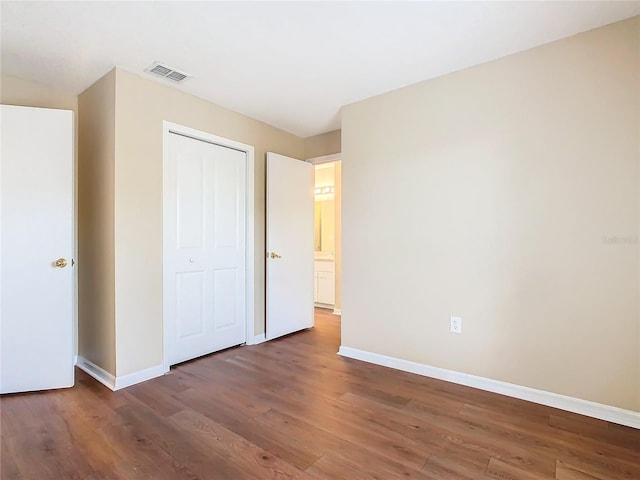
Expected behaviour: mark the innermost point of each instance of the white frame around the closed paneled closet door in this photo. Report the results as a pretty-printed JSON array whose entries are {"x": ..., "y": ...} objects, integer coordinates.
[{"x": 167, "y": 129}]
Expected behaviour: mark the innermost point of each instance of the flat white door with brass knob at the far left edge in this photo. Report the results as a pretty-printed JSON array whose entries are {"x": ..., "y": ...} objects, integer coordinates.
[{"x": 36, "y": 230}]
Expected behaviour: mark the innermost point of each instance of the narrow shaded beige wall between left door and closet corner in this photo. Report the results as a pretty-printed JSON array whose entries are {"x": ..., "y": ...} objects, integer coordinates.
[{"x": 96, "y": 275}]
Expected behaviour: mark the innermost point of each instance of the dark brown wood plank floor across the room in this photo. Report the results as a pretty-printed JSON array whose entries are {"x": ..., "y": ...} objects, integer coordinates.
[{"x": 292, "y": 408}]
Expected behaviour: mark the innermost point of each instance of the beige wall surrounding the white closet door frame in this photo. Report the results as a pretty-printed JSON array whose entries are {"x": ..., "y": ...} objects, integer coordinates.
[{"x": 141, "y": 107}]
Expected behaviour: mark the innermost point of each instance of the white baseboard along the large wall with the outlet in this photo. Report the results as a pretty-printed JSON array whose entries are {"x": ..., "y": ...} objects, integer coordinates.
[{"x": 609, "y": 413}]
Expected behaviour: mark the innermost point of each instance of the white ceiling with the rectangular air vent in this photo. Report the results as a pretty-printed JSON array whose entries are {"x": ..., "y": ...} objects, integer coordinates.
[{"x": 289, "y": 64}]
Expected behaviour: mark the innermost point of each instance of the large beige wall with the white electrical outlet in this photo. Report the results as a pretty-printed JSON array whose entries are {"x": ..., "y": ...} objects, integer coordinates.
[{"x": 493, "y": 193}]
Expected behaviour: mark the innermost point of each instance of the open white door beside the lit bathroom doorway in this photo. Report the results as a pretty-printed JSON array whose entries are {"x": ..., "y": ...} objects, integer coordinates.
[{"x": 290, "y": 240}]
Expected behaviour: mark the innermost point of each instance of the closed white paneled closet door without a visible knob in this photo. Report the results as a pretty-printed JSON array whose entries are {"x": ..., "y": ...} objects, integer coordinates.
[{"x": 204, "y": 264}]
